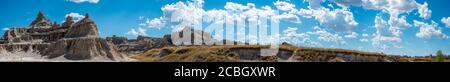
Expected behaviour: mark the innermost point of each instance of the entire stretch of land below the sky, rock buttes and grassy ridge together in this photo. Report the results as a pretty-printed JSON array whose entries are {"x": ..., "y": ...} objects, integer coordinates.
[{"x": 71, "y": 41}]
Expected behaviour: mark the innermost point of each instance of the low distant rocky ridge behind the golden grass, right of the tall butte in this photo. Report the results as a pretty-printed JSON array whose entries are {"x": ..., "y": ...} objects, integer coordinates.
[{"x": 144, "y": 43}]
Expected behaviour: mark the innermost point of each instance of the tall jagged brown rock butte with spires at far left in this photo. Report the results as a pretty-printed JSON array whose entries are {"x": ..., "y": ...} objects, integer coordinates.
[{"x": 72, "y": 41}]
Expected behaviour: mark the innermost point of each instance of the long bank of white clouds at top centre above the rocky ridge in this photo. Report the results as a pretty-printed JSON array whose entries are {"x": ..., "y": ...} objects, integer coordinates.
[{"x": 191, "y": 13}]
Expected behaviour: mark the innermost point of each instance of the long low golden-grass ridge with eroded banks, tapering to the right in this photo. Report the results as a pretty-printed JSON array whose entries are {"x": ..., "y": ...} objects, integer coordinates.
[{"x": 253, "y": 53}]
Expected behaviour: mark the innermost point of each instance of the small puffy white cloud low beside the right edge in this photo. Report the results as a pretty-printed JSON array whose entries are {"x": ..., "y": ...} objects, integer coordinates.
[{"x": 429, "y": 30}]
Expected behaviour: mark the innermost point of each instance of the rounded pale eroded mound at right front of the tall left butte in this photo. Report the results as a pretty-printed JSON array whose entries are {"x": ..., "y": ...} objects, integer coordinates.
[{"x": 83, "y": 48}]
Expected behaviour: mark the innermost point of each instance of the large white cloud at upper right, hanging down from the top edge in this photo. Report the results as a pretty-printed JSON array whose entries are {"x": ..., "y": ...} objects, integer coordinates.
[{"x": 392, "y": 30}]
